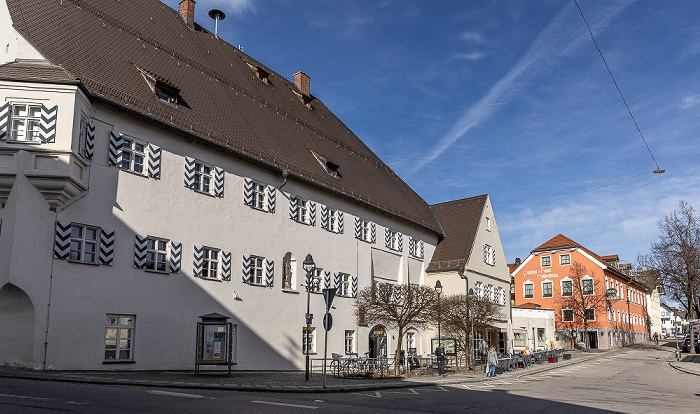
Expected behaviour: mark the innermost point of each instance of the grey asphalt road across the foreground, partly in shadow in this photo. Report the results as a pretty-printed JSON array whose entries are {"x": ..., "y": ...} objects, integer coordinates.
[{"x": 631, "y": 381}]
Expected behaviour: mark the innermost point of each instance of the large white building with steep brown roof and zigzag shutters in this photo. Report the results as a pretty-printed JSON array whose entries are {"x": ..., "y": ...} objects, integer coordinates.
[{"x": 151, "y": 173}]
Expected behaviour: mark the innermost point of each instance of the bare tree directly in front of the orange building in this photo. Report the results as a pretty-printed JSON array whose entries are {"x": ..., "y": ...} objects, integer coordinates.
[{"x": 587, "y": 299}]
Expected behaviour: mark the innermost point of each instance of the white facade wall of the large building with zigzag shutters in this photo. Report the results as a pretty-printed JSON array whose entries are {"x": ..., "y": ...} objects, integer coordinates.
[{"x": 64, "y": 312}]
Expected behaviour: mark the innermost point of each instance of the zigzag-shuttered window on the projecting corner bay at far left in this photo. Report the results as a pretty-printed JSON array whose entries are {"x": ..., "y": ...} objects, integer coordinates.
[{"x": 30, "y": 122}]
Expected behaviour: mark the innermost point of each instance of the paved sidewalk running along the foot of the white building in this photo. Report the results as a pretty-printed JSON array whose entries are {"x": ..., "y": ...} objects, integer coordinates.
[{"x": 276, "y": 381}]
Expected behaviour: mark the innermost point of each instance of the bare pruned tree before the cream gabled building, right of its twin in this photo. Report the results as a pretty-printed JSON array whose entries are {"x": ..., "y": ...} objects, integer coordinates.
[{"x": 458, "y": 312}]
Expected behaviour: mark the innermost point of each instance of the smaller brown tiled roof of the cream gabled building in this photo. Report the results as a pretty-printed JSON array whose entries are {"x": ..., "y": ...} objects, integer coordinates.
[{"x": 460, "y": 221}]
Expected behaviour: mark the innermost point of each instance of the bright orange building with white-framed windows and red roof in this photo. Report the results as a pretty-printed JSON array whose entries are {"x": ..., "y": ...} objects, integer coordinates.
[{"x": 545, "y": 277}]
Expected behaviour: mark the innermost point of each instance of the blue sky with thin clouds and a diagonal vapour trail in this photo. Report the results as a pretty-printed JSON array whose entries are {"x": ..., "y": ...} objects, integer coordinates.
[{"x": 506, "y": 97}]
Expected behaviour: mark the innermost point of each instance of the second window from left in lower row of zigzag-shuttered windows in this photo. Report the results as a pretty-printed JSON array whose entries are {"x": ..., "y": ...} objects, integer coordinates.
[{"x": 157, "y": 254}]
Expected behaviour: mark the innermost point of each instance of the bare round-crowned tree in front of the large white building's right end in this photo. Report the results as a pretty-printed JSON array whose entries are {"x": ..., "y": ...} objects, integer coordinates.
[{"x": 396, "y": 306}]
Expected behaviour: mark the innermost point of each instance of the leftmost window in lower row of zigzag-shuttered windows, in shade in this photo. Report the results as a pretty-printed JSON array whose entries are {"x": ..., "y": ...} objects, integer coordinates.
[{"x": 83, "y": 244}]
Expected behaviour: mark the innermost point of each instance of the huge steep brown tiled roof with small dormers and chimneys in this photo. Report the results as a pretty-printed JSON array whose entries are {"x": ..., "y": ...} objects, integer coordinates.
[{"x": 221, "y": 100}]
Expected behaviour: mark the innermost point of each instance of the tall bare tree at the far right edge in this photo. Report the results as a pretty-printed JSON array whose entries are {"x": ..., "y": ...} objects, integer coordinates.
[{"x": 676, "y": 256}]
